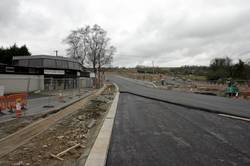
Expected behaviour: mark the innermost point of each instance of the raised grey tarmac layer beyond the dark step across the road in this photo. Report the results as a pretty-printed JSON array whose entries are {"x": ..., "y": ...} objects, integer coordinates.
[{"x": 208, "y": 103}]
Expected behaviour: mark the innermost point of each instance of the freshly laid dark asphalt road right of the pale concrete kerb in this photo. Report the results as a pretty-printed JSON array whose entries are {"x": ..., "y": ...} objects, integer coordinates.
[{"x": 151, "y": 132}]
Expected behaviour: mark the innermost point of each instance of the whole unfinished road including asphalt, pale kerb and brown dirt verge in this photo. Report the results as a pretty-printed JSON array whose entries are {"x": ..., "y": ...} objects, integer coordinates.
[{"x": 149, "y": 126}]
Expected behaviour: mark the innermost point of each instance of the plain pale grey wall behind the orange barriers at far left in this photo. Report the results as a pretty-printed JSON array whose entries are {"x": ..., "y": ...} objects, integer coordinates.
[{"x": 21, "y": 83}]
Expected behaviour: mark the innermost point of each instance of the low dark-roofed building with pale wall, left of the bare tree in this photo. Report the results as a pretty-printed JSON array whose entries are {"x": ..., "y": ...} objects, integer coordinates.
[{"x": 54, "y": 72}]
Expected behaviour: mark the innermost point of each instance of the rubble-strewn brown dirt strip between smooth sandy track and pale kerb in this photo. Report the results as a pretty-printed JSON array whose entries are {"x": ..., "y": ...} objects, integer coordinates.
[{"x": 80, "y": 129}]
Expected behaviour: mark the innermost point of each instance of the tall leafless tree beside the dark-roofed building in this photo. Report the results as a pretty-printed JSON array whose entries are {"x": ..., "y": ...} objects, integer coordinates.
[{"x": 91, "y": 46}]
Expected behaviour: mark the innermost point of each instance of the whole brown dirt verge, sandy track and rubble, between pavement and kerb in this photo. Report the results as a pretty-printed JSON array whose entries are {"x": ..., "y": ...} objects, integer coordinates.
[{"x": 62, "y": 136}]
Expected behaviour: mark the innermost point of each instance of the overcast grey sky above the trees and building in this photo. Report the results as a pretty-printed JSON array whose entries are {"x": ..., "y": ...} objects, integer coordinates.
[{"x": 165, "y": 33}]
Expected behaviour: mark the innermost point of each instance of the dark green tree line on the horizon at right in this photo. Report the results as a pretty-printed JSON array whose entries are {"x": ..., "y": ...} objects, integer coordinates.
[{"x": 220, "y": 69}]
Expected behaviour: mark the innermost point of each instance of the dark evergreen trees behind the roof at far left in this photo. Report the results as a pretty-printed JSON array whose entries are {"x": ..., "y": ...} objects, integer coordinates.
[{"x": 7, "y": 53}]
